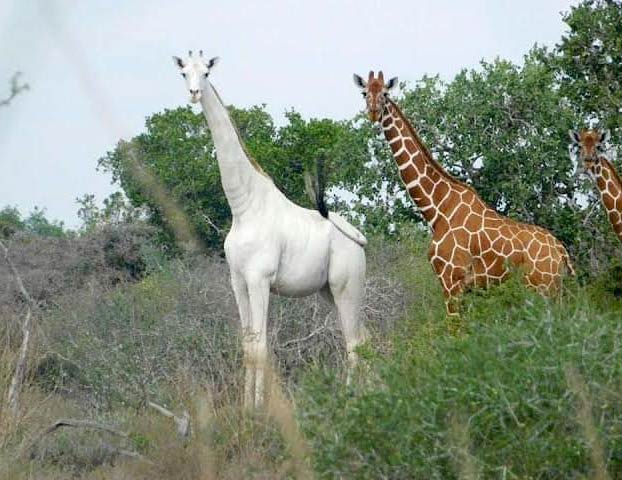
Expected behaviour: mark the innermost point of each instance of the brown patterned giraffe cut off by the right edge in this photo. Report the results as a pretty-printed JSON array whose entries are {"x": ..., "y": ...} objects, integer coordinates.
[{"x": 591, "y": 146}]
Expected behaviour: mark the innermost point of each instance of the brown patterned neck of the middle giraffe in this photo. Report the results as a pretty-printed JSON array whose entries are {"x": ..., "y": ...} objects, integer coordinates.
[{"x": 431, "y": 188}]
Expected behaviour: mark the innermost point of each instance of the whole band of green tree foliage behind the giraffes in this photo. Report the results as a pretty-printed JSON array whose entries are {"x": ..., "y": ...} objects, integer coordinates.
[{"x": 500, "y": 127}]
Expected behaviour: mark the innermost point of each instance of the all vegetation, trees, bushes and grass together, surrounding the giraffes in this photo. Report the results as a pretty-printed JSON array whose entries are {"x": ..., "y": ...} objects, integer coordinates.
[{"x": 126, "y": 324}]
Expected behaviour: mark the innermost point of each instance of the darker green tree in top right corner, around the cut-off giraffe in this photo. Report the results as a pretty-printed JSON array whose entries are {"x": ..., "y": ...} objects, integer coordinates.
[{"x": 588, "y": 64}]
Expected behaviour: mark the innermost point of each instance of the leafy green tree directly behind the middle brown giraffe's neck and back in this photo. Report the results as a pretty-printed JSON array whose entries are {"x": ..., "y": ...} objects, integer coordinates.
[{"x": 503, "y": 129}]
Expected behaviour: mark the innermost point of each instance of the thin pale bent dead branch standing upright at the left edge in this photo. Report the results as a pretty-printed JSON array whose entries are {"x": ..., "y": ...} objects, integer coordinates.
[{"x": 19, "y": 374}]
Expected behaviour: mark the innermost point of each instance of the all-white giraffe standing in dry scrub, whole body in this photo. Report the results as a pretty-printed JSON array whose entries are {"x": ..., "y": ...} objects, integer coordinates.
[{"x": 275, "y": 245}]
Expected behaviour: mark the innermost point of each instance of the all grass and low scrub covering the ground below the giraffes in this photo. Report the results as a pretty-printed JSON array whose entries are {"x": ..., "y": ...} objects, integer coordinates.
[{"x": 524, "y": 388}]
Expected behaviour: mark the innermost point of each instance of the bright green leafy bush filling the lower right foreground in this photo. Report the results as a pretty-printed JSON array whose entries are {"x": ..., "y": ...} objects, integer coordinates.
[{"x": 491, "y": 399}]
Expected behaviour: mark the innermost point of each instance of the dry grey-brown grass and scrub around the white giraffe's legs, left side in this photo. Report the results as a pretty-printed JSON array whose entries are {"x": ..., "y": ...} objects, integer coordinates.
[{"x": 181, "y": 324}]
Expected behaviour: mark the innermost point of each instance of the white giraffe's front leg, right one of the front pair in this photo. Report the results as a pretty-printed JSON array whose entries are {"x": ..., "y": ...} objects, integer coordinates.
[{"x": 256, "y": 341}]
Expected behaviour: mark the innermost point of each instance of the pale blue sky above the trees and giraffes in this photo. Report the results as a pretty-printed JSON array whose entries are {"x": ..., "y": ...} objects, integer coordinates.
[{"x": 98, "y": 68}]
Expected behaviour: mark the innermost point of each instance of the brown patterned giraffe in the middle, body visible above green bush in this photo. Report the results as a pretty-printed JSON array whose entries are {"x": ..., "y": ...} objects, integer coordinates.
[{"x": 471, "y": 243}]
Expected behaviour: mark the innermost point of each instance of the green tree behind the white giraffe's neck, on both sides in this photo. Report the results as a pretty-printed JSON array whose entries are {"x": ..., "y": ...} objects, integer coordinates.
[{"x": 177, "y": 148}]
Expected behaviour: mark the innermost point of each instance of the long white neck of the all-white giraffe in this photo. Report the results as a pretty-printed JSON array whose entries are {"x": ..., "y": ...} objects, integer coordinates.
[{"x": 241, "y": 181}]
